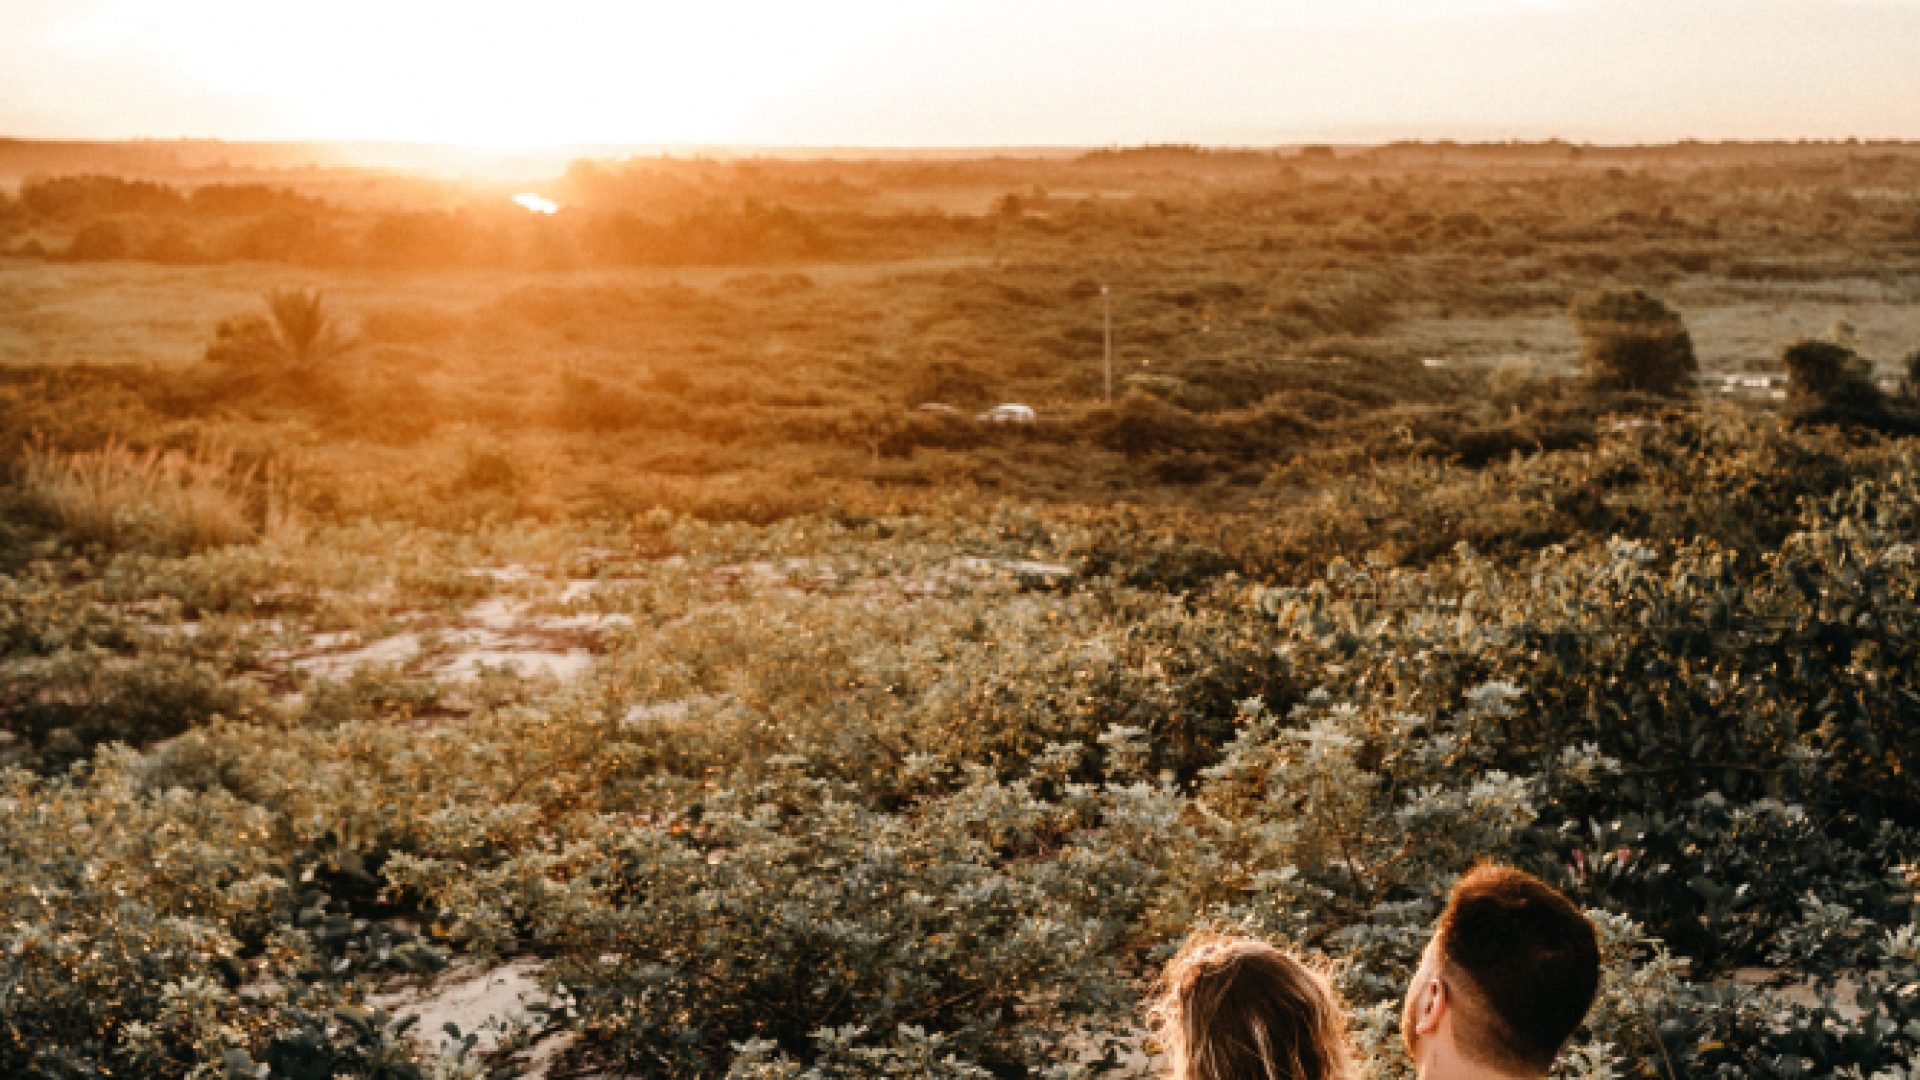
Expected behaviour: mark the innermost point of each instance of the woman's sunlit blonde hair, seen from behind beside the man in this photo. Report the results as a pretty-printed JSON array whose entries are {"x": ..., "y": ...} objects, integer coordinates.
[{"x": 1241, "y": 1010}]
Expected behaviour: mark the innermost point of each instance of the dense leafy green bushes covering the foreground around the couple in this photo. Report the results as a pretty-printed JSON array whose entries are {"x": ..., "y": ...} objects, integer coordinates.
[{"x": 965, "y": 823}]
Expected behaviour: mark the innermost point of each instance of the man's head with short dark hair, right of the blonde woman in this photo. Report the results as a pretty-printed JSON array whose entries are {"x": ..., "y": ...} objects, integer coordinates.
[{"x": 1508, "y": 975}]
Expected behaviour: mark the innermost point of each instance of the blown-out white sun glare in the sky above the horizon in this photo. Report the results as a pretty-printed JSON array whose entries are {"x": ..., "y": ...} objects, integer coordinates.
[{"x": 500, "y": 74}]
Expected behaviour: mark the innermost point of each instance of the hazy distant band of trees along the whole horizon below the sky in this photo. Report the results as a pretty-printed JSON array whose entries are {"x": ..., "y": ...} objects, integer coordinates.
[{"x": 1748, "y": 212}]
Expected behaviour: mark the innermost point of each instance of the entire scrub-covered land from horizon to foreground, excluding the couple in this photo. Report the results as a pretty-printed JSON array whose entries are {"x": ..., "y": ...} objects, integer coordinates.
[{"x": 590, "y": 637}]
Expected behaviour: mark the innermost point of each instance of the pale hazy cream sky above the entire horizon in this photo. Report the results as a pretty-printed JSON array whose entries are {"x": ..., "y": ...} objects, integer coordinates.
[{"x": 959, "y": 72}]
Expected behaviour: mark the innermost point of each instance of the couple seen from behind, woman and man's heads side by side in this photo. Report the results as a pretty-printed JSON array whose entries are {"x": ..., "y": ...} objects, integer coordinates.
[{"x": 1504, "y": 983}]
